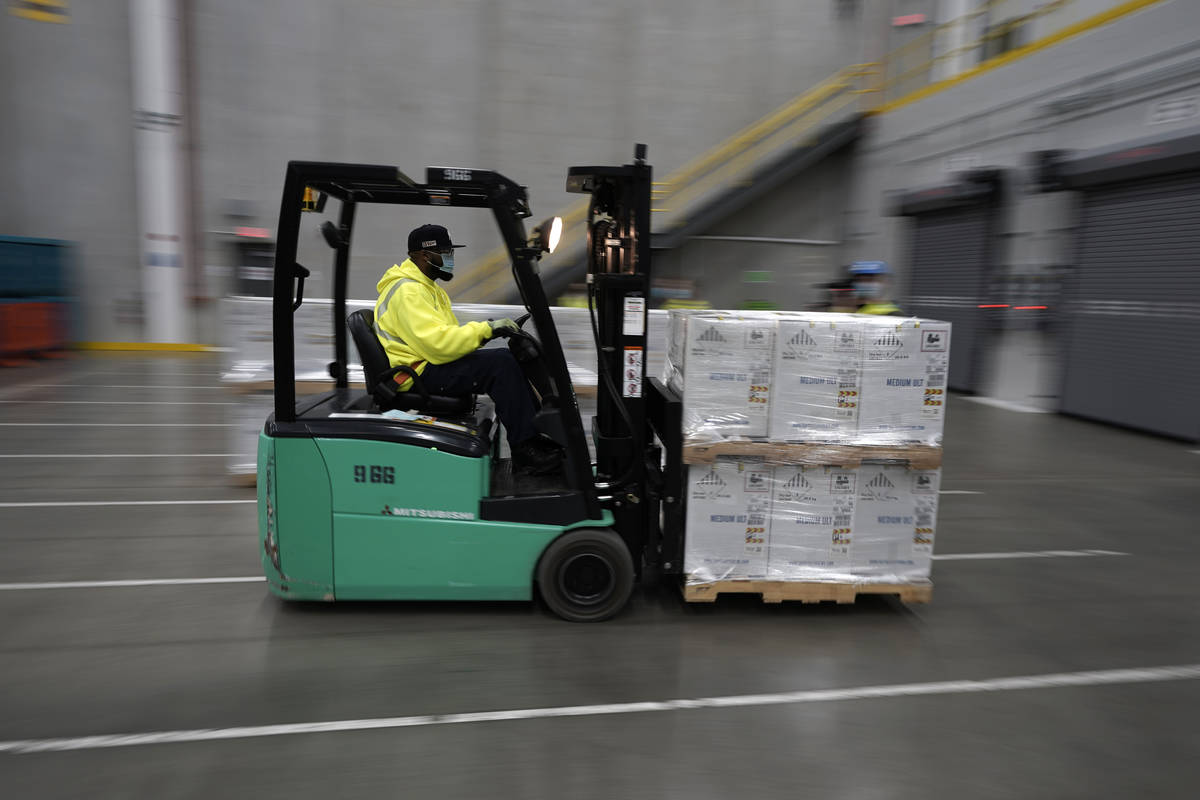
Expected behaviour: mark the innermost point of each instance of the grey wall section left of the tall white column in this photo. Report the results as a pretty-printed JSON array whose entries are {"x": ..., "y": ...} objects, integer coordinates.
[{"x": 67, "y": 153}]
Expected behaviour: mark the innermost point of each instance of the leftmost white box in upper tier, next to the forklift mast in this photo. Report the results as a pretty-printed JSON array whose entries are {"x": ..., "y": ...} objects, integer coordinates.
[{"x": 725, "y": 375}]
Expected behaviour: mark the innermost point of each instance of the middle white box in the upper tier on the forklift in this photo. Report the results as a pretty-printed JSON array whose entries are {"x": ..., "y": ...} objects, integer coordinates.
[{"x": 815, "y": 386}]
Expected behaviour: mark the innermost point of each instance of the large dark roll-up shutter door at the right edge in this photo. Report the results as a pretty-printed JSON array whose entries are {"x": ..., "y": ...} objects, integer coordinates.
[{"x": 1133, "y": 317}]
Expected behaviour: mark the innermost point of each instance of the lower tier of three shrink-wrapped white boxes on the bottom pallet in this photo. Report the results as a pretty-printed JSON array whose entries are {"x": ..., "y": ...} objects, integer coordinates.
[{"x": 748, "y": 520}]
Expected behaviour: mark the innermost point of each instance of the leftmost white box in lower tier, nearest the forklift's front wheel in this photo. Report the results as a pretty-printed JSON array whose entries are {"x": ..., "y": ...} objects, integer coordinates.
[{"x": 728, "y": 520}]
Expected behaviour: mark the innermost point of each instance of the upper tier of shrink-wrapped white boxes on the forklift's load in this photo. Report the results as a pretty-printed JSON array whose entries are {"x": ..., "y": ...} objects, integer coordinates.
[{"x": 809, "y": 377}]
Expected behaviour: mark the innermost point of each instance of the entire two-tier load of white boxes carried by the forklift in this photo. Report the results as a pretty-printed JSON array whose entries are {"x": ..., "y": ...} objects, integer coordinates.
[{"x": 866, "y": 394}]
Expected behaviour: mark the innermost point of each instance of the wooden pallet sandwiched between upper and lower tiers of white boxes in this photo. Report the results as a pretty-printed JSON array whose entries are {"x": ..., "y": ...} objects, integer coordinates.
[{"x": 778, "y": 453}]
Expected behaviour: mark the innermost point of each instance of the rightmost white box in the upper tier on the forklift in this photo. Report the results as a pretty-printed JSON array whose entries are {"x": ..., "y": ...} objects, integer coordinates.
[{"x": 903, "y": 400}]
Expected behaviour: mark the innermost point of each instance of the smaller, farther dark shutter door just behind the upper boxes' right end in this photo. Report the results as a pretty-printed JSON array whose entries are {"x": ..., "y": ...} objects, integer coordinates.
[{"x": 947, "y": 273}]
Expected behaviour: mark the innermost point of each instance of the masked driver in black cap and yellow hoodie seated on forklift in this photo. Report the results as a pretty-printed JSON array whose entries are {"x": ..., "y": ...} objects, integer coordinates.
[{"x": 417, "y": 327}]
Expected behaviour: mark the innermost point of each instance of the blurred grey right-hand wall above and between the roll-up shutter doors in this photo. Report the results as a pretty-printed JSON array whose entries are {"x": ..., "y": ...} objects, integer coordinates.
[{"x": 1099, "y": 89}]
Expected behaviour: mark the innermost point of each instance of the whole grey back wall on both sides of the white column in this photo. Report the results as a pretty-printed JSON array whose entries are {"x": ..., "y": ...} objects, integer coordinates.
[{"x": 524, "y": 87}]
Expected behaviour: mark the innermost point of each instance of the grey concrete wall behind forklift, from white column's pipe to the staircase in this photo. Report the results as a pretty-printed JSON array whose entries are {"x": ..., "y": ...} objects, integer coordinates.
[{"x": 524, "y": 87}]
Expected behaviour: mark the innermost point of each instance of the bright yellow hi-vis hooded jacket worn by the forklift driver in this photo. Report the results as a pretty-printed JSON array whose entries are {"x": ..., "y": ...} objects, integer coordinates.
[{"x": 416, "y": 326}]
